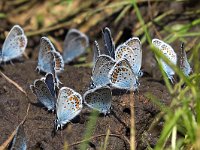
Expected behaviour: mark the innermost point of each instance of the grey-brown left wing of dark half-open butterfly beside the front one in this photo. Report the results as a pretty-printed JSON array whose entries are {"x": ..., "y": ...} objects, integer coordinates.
[{"x": 43, "y": 94}]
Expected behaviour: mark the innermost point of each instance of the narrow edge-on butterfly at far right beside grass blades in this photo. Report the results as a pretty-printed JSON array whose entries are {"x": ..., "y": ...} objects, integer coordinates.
[{"x": 184, "y": 64}]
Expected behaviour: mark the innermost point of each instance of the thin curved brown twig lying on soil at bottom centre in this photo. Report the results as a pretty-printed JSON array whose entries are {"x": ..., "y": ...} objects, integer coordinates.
[{"x": 100, "y": 135}]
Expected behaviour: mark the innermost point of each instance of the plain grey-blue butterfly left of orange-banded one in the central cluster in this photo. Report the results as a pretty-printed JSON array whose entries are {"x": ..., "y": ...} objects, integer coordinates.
[{"x": 100, "y": 71}]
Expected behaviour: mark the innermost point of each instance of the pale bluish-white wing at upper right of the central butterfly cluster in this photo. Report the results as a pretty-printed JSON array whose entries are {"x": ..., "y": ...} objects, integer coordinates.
[{"x": 135, "y": 44}]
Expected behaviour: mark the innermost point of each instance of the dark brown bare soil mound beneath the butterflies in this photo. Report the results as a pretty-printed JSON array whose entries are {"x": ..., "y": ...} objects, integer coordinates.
[{"x": 40, "y": 123}]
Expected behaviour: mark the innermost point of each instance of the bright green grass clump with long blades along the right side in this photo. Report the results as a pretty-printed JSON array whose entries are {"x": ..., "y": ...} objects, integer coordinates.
[{"x": 182, "y": 117}]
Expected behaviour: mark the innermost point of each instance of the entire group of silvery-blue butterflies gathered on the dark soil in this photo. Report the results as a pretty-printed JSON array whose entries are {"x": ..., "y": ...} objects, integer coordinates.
[{"x": 113, "y": 68}]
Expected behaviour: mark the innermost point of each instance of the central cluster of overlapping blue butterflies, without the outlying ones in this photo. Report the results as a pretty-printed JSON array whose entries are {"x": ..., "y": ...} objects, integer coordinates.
[{"x": 118, "y": 68}]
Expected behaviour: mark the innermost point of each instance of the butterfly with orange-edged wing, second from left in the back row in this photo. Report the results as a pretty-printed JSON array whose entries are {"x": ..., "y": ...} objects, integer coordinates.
[{"x": 49, "y": 59}]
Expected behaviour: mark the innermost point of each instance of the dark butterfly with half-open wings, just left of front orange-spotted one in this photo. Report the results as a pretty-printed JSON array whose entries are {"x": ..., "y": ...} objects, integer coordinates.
[{"x": 44, "y": 89}]
